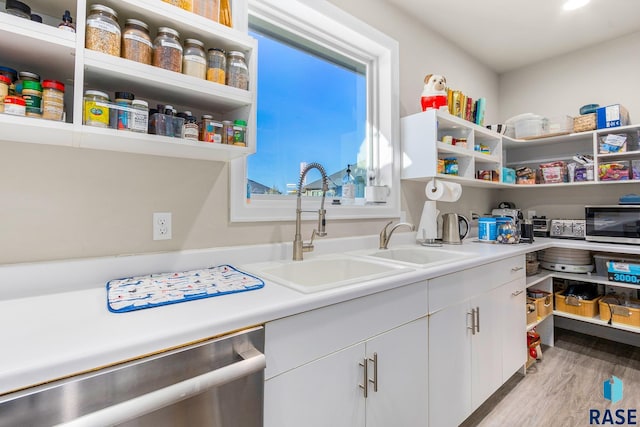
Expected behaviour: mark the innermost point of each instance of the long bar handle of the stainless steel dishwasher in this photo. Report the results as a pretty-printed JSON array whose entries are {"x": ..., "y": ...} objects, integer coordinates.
[{"x": 254, "y": 361}]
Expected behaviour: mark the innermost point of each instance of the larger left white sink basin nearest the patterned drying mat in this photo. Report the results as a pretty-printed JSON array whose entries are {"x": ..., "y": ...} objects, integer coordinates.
[{"x": 317, "y": 274}]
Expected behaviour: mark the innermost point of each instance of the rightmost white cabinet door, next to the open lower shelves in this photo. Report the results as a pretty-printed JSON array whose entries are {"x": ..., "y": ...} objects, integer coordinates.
[{"x": 486, "y": 347}]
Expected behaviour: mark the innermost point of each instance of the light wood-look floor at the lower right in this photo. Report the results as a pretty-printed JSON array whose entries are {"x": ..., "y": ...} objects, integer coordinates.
[{"x": 560, "y": 390}]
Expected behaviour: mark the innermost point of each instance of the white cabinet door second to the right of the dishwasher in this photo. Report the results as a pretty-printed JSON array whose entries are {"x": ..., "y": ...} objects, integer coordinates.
[{"x": 402, "y": 359}]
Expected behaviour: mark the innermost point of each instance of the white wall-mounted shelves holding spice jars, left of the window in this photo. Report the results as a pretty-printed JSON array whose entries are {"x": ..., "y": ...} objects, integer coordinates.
[{"x": 60, "y": 55}]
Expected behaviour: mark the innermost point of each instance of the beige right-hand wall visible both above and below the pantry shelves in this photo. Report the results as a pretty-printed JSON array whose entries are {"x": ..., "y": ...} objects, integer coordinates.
[{"x": 604, "y": 74}]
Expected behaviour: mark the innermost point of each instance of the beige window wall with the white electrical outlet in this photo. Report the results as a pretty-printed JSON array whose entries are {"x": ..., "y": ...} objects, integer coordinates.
[{"x": 69, "y": 203}]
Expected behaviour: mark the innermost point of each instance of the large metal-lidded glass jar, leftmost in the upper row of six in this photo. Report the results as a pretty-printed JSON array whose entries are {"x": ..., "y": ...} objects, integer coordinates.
[{"x": 103, "y": 31}]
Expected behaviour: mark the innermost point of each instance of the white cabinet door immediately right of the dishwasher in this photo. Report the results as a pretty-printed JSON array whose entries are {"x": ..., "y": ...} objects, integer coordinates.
[{"x": 322, "y": 393}]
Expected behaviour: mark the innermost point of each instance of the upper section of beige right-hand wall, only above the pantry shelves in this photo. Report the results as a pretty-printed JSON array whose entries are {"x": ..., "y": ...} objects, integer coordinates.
[{"x": 603, "y": 74}]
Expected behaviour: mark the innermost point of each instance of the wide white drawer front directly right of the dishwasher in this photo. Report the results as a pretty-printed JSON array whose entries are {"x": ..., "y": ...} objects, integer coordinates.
[{"x": 296, "y": 340}]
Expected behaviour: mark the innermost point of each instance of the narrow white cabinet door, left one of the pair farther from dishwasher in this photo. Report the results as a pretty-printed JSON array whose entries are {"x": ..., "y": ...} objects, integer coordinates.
[{"x": 449, "y": 366}]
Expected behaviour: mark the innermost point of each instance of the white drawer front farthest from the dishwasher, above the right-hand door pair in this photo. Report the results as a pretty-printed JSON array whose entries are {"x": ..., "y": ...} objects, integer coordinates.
[{"x": 456, "y": 287}]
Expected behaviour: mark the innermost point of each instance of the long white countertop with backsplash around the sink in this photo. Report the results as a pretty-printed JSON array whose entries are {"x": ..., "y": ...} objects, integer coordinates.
[{"x": 55, "y": 321}]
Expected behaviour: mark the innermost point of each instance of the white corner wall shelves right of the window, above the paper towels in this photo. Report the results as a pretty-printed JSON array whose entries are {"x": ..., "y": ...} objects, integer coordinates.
[{"x": 422, "y": 135}]
